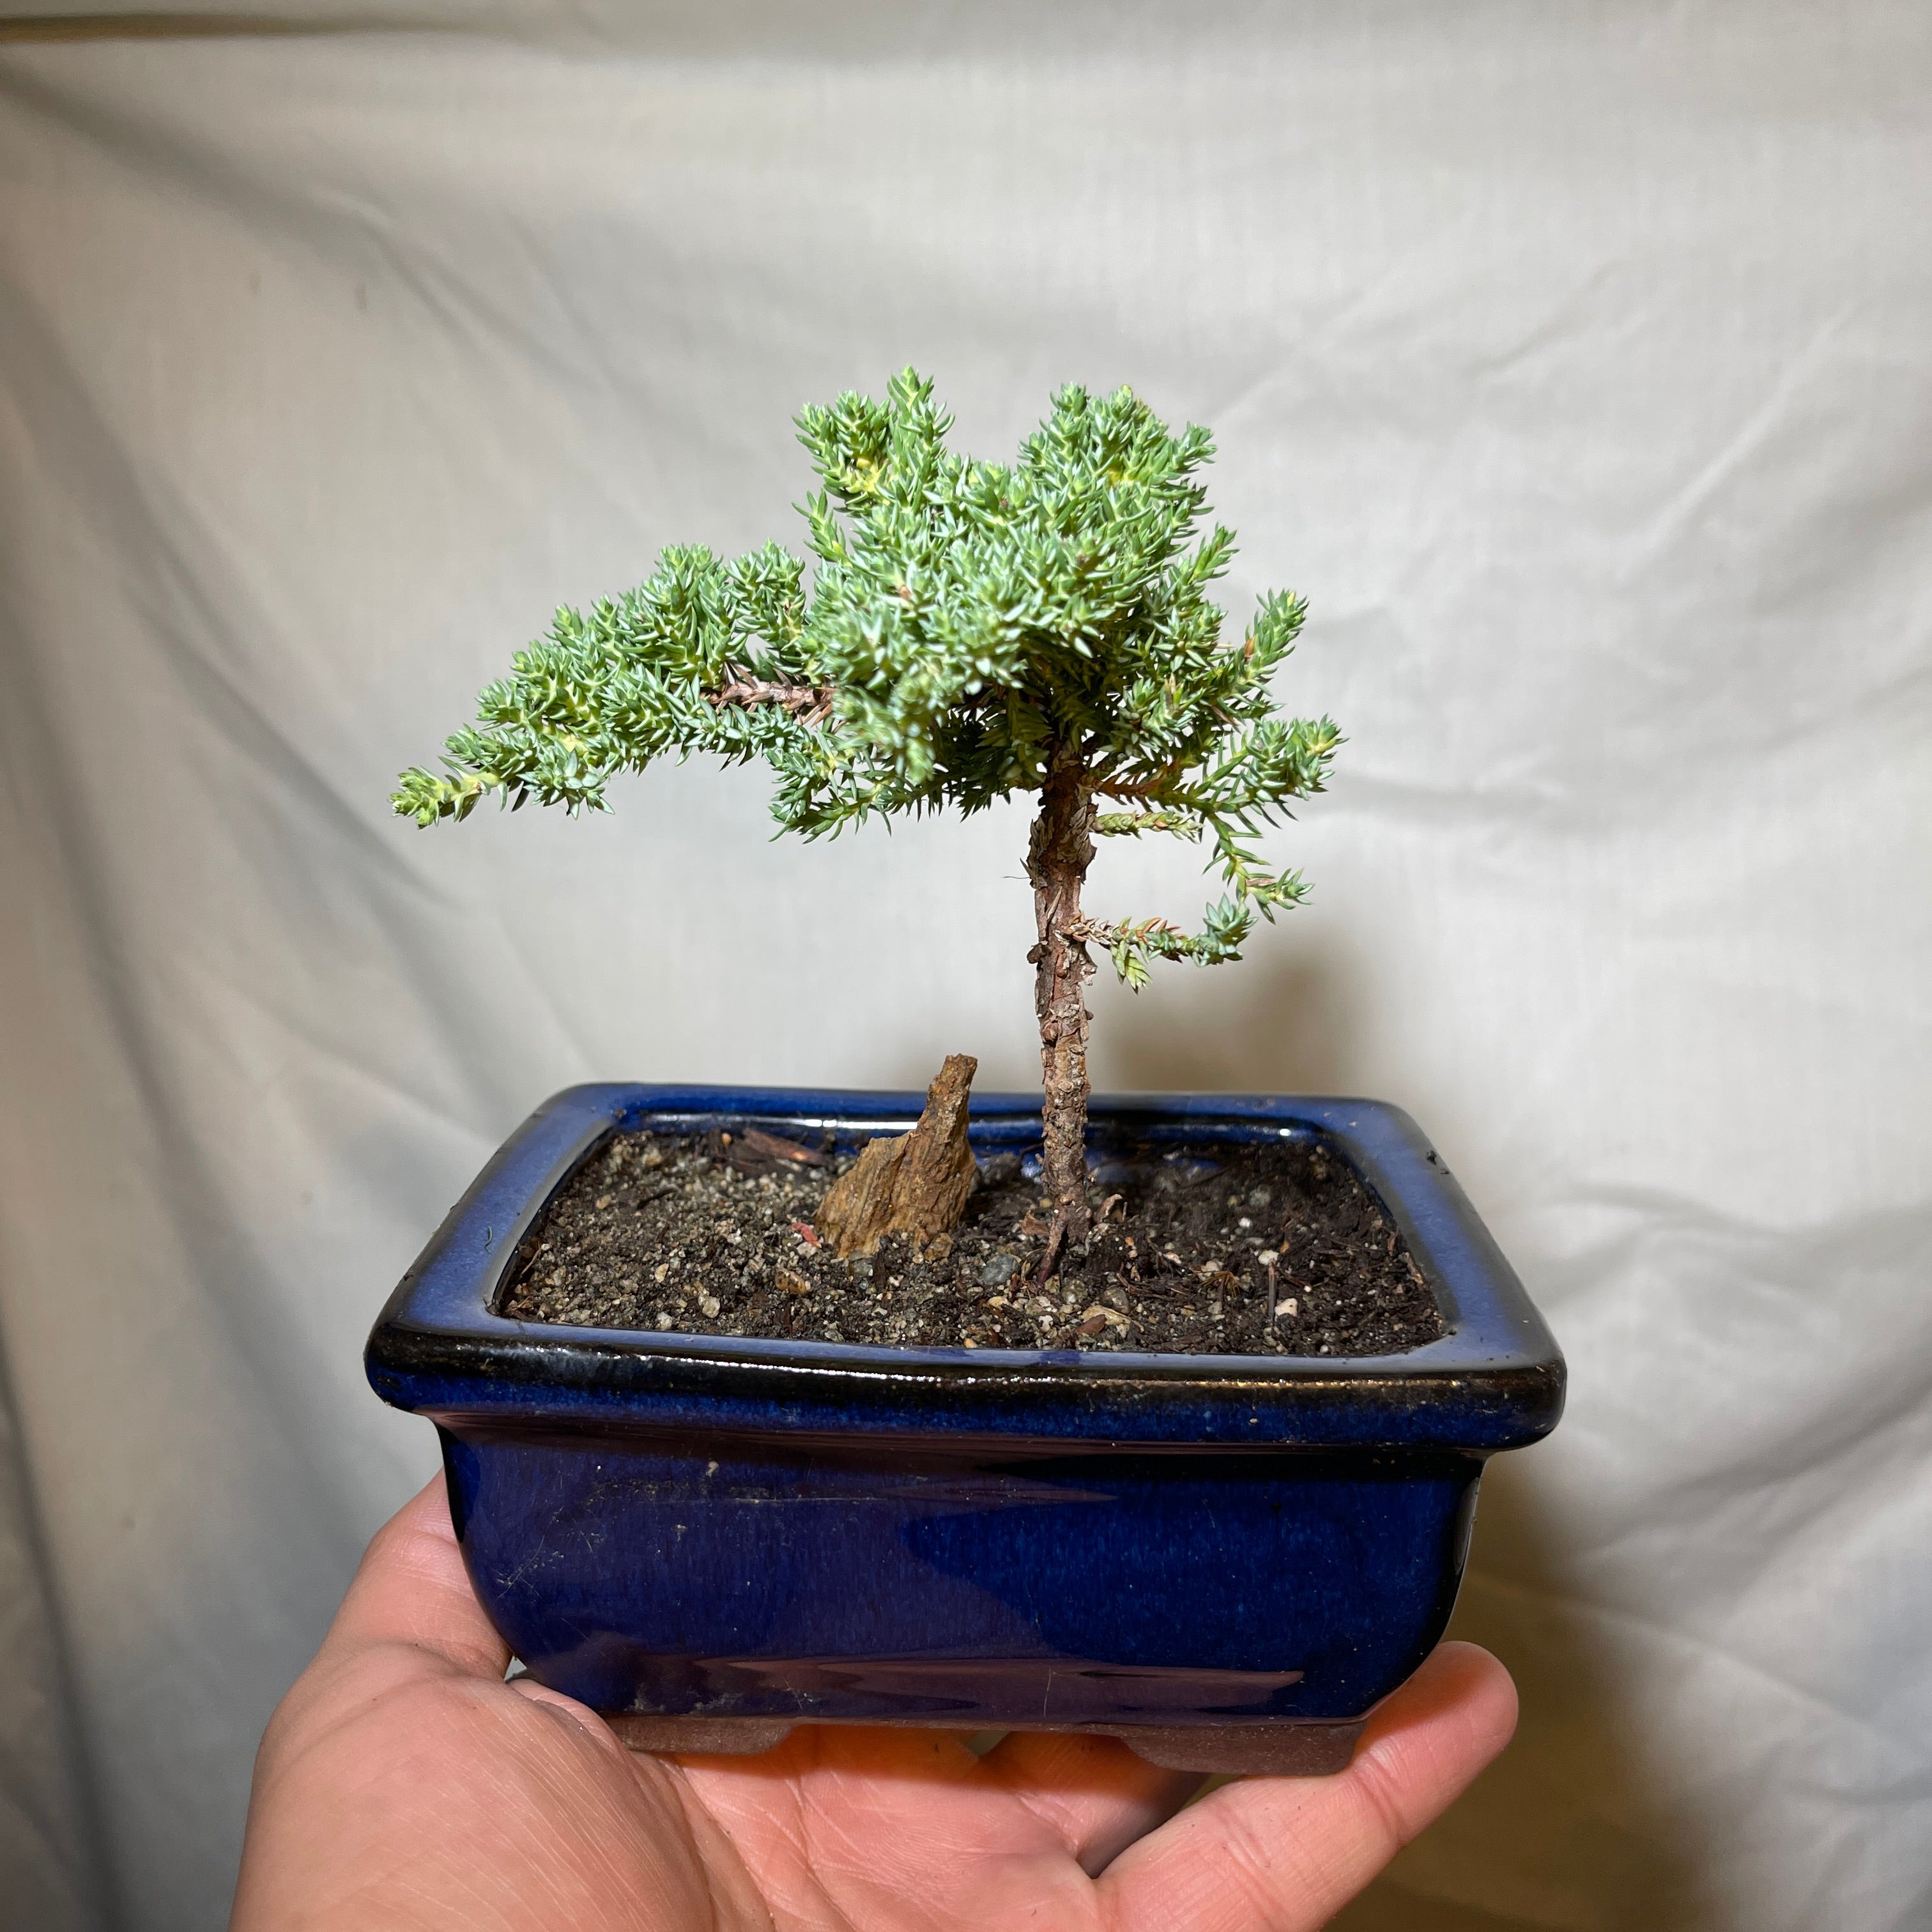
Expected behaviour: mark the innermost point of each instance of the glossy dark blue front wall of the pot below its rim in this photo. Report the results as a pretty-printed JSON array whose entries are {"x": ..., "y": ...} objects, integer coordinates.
[{"x": 729, "y": 1576}]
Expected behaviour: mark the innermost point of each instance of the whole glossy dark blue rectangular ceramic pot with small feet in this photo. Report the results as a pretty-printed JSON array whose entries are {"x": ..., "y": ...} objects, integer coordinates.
[{"x": 1224, "y": 1560}]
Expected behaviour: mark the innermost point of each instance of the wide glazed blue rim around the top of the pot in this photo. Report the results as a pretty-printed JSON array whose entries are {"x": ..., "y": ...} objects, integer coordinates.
[{"x": 1494, "y": 1380}]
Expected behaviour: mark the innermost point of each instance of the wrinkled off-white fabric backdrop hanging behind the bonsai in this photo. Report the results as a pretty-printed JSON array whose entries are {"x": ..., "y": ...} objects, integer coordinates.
[{"x": 1577, "y": 364}]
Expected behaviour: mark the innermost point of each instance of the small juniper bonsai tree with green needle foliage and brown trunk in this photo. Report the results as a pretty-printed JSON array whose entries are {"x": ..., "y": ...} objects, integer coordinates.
[{"x": 967, "y": 631}]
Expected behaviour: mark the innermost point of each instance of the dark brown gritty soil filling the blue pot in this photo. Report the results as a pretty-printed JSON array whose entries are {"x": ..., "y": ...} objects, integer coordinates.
[{"x": 1274, "y": 1249}]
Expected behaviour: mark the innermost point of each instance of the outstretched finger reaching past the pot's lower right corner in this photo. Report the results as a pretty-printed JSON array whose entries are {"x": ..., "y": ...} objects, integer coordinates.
[{"x": 1288, "y": 1854}]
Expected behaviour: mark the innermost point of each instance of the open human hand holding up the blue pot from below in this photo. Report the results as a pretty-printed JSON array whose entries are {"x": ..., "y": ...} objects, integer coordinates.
[{"x": 407, "y": 1788}]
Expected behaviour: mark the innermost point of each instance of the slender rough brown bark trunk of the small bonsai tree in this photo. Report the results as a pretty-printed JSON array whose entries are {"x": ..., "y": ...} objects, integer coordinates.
[{"x": 1058, "y": 861}]
